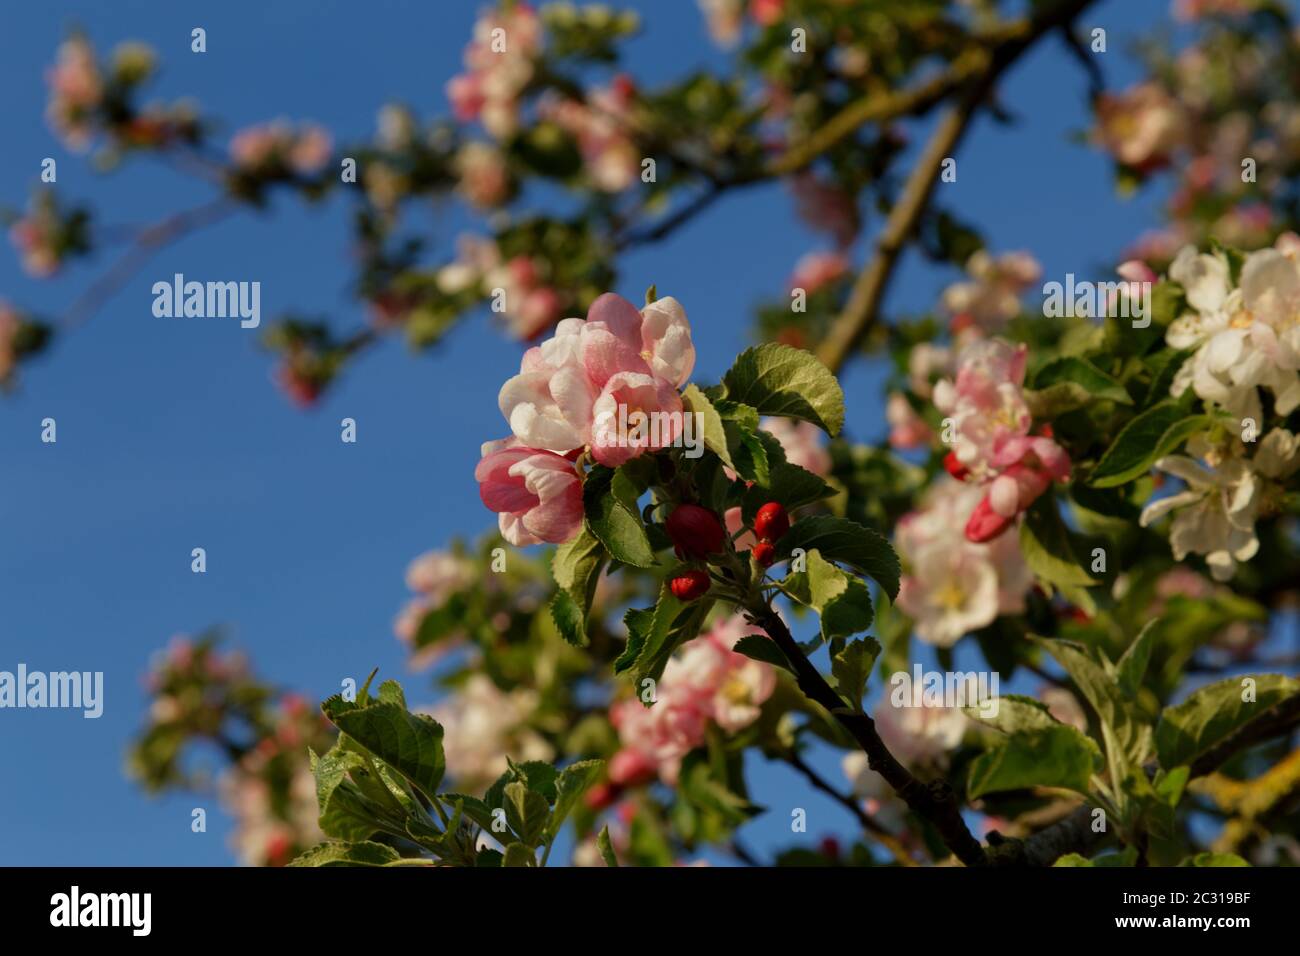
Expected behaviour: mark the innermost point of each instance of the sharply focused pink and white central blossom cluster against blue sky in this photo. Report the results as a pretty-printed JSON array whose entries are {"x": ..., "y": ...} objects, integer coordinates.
[{"x": 566, "y": 400}]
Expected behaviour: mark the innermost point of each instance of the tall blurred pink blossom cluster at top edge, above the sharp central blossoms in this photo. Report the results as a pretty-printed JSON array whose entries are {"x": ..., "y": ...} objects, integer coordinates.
[{"x": 500, "y": 64}]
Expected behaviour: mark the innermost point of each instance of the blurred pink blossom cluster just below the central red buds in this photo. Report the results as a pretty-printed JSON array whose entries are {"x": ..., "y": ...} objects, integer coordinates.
[{"x": 705, "y": 685}]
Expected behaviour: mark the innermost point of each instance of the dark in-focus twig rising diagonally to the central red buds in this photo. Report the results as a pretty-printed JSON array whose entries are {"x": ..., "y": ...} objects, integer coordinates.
[{"x": 934, "y": 802}]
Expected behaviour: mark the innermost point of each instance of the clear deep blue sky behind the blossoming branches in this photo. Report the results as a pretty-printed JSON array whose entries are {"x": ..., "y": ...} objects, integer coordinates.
[{"x": 172, "y": 435}]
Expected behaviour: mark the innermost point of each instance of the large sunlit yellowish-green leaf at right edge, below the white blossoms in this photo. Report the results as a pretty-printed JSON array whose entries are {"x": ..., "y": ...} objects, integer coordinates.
[{"x": 1212, "y": 713}]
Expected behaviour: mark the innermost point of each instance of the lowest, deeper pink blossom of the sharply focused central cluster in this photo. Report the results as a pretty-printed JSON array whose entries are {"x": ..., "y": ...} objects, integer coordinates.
[{"x": 538, "y": 494}]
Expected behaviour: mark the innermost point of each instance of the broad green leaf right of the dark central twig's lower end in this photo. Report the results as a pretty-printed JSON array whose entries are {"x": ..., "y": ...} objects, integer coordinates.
[{"x": 1054, "y": 756}]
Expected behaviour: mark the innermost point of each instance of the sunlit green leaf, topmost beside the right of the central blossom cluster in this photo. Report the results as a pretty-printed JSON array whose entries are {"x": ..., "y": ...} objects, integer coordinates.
[{"x": 779, "y": 380}]
